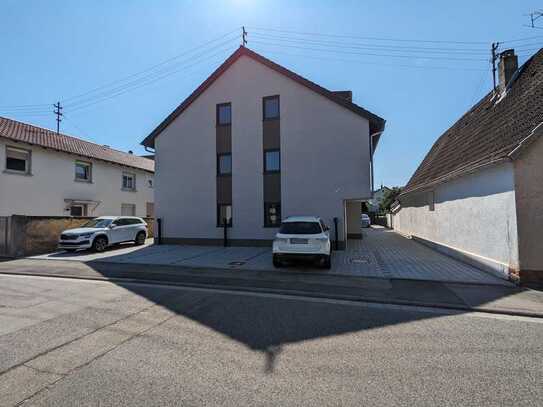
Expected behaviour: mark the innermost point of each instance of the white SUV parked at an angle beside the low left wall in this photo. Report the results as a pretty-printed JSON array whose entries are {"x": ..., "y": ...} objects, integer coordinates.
[{"x": 99, "y": 233}]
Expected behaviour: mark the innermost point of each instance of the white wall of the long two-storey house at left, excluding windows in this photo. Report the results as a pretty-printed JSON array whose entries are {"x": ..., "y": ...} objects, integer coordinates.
[{"x": 51, "y": 189}]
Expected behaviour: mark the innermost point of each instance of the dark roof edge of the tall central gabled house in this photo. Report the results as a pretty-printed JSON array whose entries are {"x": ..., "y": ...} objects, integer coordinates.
[{"x": 376, "y": 122}]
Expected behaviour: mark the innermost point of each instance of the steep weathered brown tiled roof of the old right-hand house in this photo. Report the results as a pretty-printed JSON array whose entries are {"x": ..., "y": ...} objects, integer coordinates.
[{"x": 489, "y": 131}]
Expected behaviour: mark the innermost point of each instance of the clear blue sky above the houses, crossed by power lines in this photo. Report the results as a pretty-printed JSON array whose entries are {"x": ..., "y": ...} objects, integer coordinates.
[{"x": 59, "y": 50}]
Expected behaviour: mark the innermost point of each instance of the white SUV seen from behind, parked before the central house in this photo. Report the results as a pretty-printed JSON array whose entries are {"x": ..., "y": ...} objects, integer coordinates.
[{"x": 302, "y": 237}]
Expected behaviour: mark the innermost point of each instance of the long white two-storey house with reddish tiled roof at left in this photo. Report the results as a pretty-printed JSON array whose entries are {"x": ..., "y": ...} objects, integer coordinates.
[{"x": 48, "y": 174}]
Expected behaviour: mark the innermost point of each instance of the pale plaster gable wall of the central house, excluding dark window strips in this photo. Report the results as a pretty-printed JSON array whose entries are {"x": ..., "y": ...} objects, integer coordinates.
[{"x": 325, "y": 157}]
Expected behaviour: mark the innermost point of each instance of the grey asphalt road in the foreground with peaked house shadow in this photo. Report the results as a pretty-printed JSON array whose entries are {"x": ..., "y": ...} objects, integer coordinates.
[{"x": 72, "y": 342}]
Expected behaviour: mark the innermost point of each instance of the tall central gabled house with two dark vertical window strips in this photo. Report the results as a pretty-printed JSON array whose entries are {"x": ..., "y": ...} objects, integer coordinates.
[{"x": 255, "y": 143}]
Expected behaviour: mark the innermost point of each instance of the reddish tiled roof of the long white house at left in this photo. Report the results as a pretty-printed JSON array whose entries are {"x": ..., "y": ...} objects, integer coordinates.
[{"x": 27, "y": 133}]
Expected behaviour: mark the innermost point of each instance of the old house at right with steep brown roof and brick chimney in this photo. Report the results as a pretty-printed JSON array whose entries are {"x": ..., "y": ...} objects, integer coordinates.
[{"x": 478, "y": 193}]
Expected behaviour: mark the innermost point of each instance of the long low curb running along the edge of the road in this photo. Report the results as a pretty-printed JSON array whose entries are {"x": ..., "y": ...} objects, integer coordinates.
[{"x": 299, "y": 293}]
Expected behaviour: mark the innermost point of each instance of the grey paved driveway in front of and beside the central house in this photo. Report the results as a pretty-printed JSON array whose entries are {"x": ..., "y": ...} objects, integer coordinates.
[{"x": 381, "y": 254}]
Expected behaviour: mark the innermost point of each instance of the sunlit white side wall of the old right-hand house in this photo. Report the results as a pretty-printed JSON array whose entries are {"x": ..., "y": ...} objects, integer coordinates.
[{"x": 473, "y": 215}]
